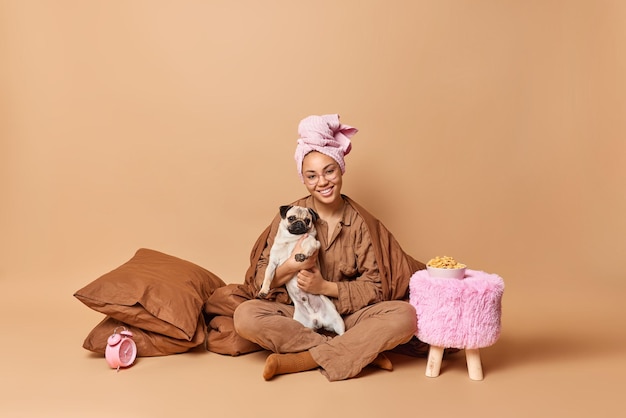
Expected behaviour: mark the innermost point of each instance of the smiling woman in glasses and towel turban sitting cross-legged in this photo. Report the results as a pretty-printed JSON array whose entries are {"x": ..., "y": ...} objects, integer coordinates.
[{"x": 361, "y": 268}]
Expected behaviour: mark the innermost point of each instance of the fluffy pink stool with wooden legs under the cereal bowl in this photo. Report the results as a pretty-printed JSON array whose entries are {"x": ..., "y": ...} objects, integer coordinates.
[{"x": 457, "y": 313}]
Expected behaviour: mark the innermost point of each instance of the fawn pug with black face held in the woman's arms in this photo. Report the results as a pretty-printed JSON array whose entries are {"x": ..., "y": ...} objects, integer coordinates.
[{"x": 312, "y": 311}]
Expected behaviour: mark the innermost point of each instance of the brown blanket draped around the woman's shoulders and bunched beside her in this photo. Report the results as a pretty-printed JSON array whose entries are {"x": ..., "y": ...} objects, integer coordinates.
[{"x": 396, "y": 268}]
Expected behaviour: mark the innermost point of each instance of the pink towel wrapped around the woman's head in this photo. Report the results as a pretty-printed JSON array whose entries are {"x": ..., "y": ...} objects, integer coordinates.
[{"x": 324, "y": 134}]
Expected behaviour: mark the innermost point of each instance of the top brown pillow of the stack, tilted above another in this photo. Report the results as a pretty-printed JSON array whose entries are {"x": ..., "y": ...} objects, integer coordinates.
[{"x": 155, "y": 292}]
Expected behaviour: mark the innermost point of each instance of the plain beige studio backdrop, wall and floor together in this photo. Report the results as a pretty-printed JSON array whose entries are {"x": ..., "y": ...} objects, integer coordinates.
[{"x": 493, "y": 131}]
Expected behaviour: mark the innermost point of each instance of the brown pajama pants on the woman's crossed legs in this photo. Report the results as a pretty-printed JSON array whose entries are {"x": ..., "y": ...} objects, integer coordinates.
[{"x": 369, "y": 331}]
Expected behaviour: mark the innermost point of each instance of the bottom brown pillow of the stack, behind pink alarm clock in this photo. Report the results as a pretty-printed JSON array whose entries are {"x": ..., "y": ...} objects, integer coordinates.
[{"x": 149, "y": 344}]
